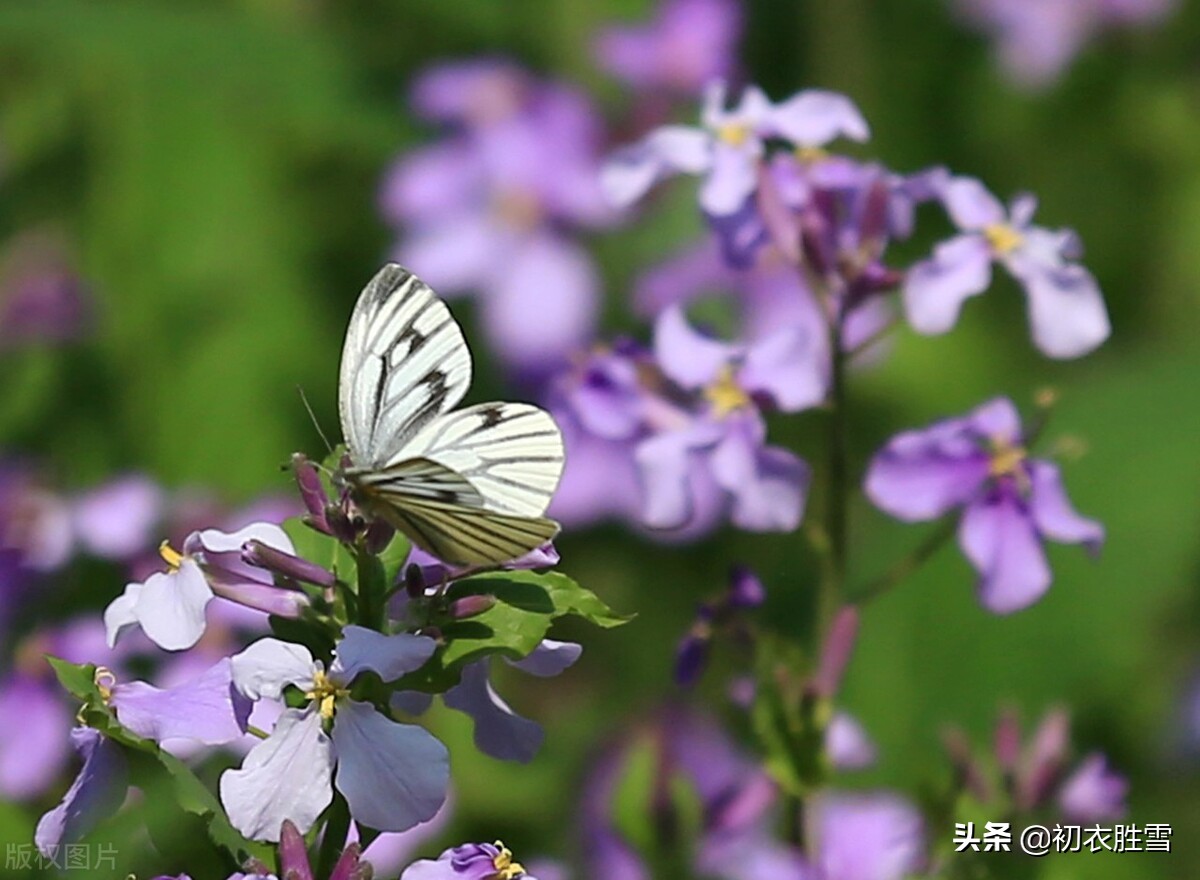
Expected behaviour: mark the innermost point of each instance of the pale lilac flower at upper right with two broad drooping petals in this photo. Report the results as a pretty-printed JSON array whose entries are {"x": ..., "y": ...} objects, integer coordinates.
[{"x": 1066, "y": 309}]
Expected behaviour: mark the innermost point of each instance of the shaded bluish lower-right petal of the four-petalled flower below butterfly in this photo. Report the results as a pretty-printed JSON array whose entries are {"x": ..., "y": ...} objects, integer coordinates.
[{"x": 394, "y": 776}]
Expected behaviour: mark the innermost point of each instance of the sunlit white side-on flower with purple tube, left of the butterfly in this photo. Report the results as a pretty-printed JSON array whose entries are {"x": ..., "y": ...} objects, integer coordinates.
[{"x": 170, "y": 607}]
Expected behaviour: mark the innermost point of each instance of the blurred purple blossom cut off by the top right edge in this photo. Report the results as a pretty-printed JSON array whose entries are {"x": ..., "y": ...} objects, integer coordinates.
[{"x": 1037, "y": 40}]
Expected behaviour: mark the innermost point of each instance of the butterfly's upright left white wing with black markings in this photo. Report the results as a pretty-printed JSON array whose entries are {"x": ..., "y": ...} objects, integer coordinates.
[{"x": 404, "y": 364}]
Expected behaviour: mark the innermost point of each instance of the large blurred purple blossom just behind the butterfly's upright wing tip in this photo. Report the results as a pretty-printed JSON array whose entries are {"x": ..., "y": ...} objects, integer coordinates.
[{"x": 511, "y": 188}]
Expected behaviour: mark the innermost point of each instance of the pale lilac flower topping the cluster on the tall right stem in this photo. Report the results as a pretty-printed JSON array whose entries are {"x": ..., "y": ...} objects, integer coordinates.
[{"x": 730, "y": 145}]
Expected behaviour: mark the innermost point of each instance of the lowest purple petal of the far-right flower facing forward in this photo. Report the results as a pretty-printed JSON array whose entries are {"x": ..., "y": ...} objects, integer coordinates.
[{"x": 999, "y": 538}]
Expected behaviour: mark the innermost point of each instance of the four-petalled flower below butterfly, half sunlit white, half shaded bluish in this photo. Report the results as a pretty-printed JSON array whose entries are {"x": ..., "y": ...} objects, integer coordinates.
[{"x": 394, "y": 776}]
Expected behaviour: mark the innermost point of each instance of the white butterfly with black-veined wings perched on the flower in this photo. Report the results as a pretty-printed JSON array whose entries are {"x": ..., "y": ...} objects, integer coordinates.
[{"x": 470, "y": 487}]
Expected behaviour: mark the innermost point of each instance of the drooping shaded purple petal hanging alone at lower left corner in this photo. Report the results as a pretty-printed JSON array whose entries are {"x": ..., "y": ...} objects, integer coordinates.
[{"x": 95, "y": 794}]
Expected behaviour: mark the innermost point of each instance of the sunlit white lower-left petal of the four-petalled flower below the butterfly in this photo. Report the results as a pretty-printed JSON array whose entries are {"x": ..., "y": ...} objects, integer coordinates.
[{"x": 287, "y": 776}]
